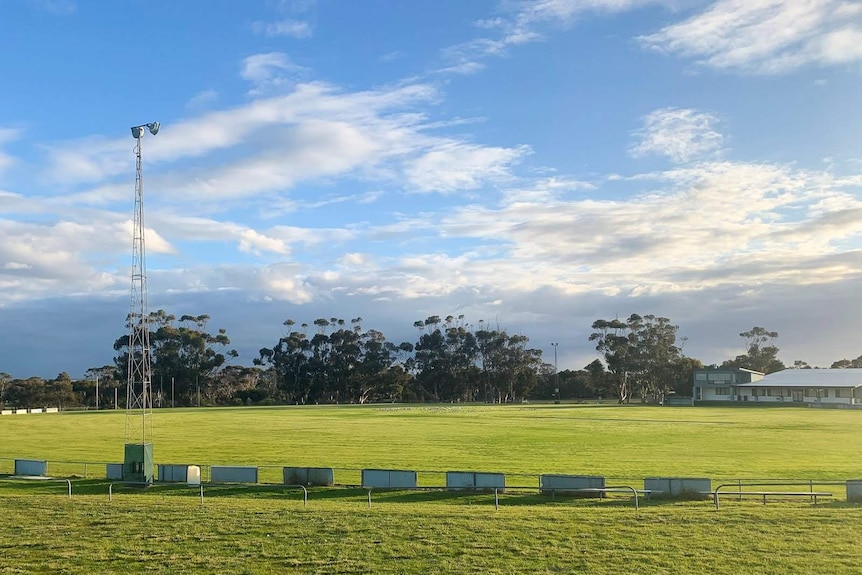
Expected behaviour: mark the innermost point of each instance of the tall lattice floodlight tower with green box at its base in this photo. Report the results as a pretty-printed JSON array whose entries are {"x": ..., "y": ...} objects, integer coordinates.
[{"x": 138, "y": 460}]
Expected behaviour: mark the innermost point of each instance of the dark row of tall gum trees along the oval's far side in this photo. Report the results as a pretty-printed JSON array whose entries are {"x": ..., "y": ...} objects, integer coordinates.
[{"x": 337, "y": 361}]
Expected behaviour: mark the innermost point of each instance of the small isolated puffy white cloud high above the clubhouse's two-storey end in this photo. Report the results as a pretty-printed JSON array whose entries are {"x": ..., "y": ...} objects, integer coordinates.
[{"x": 679, "y": 134}]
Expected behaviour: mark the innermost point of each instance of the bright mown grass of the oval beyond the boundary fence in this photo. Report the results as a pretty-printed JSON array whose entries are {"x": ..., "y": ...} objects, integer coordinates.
[{"x": 625, "y": 443}]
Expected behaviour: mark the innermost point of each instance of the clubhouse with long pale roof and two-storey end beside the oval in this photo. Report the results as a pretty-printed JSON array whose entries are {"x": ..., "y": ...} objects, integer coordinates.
[{"x": 801, "y": 386}]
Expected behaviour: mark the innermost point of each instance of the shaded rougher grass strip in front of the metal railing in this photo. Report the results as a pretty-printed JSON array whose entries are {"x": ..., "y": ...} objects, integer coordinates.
[{"x": 243, "y": 534}]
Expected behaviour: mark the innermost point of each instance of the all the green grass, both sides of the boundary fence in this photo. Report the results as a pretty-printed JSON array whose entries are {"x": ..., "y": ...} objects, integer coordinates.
[{"x": 269, "y": 531}]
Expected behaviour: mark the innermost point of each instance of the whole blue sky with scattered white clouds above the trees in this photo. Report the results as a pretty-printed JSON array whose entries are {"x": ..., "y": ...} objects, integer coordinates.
[{"x": 531, "y": 164}]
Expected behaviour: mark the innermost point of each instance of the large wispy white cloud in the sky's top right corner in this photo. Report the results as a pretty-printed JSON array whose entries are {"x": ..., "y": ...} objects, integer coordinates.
[{"x": 767, "y": 36}]
